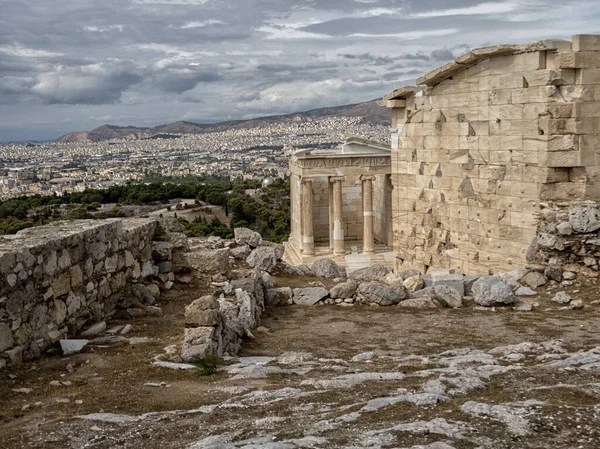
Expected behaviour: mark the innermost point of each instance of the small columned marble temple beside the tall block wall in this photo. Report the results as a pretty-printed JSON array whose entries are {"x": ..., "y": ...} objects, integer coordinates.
[{"x": 341, "y": 205}]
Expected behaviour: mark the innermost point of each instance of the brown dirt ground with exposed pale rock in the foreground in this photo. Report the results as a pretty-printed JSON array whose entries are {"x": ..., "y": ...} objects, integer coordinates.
[{"x": 533, "y": 404}]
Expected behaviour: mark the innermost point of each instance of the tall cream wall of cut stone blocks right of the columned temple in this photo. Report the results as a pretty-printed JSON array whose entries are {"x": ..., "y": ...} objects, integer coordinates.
[{"x": 494, "y": 134}]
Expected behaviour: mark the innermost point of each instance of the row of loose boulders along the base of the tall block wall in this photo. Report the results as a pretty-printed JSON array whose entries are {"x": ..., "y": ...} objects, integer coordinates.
[{"x": 439, "y": 288}]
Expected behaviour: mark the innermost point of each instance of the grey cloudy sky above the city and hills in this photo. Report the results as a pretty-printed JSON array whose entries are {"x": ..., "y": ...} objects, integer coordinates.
[{"x": 72, "y": 65}]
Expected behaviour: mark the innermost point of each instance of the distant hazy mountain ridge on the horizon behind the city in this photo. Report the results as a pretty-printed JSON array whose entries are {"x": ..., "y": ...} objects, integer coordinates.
[{"x": 368, "y": 111}]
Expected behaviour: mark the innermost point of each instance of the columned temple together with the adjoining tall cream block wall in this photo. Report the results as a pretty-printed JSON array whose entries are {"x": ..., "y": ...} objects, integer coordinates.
[{"x": 479, "y": 149}]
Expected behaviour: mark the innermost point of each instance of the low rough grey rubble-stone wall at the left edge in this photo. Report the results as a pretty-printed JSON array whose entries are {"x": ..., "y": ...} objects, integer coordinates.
[{"x": 56, "y": 279}]
